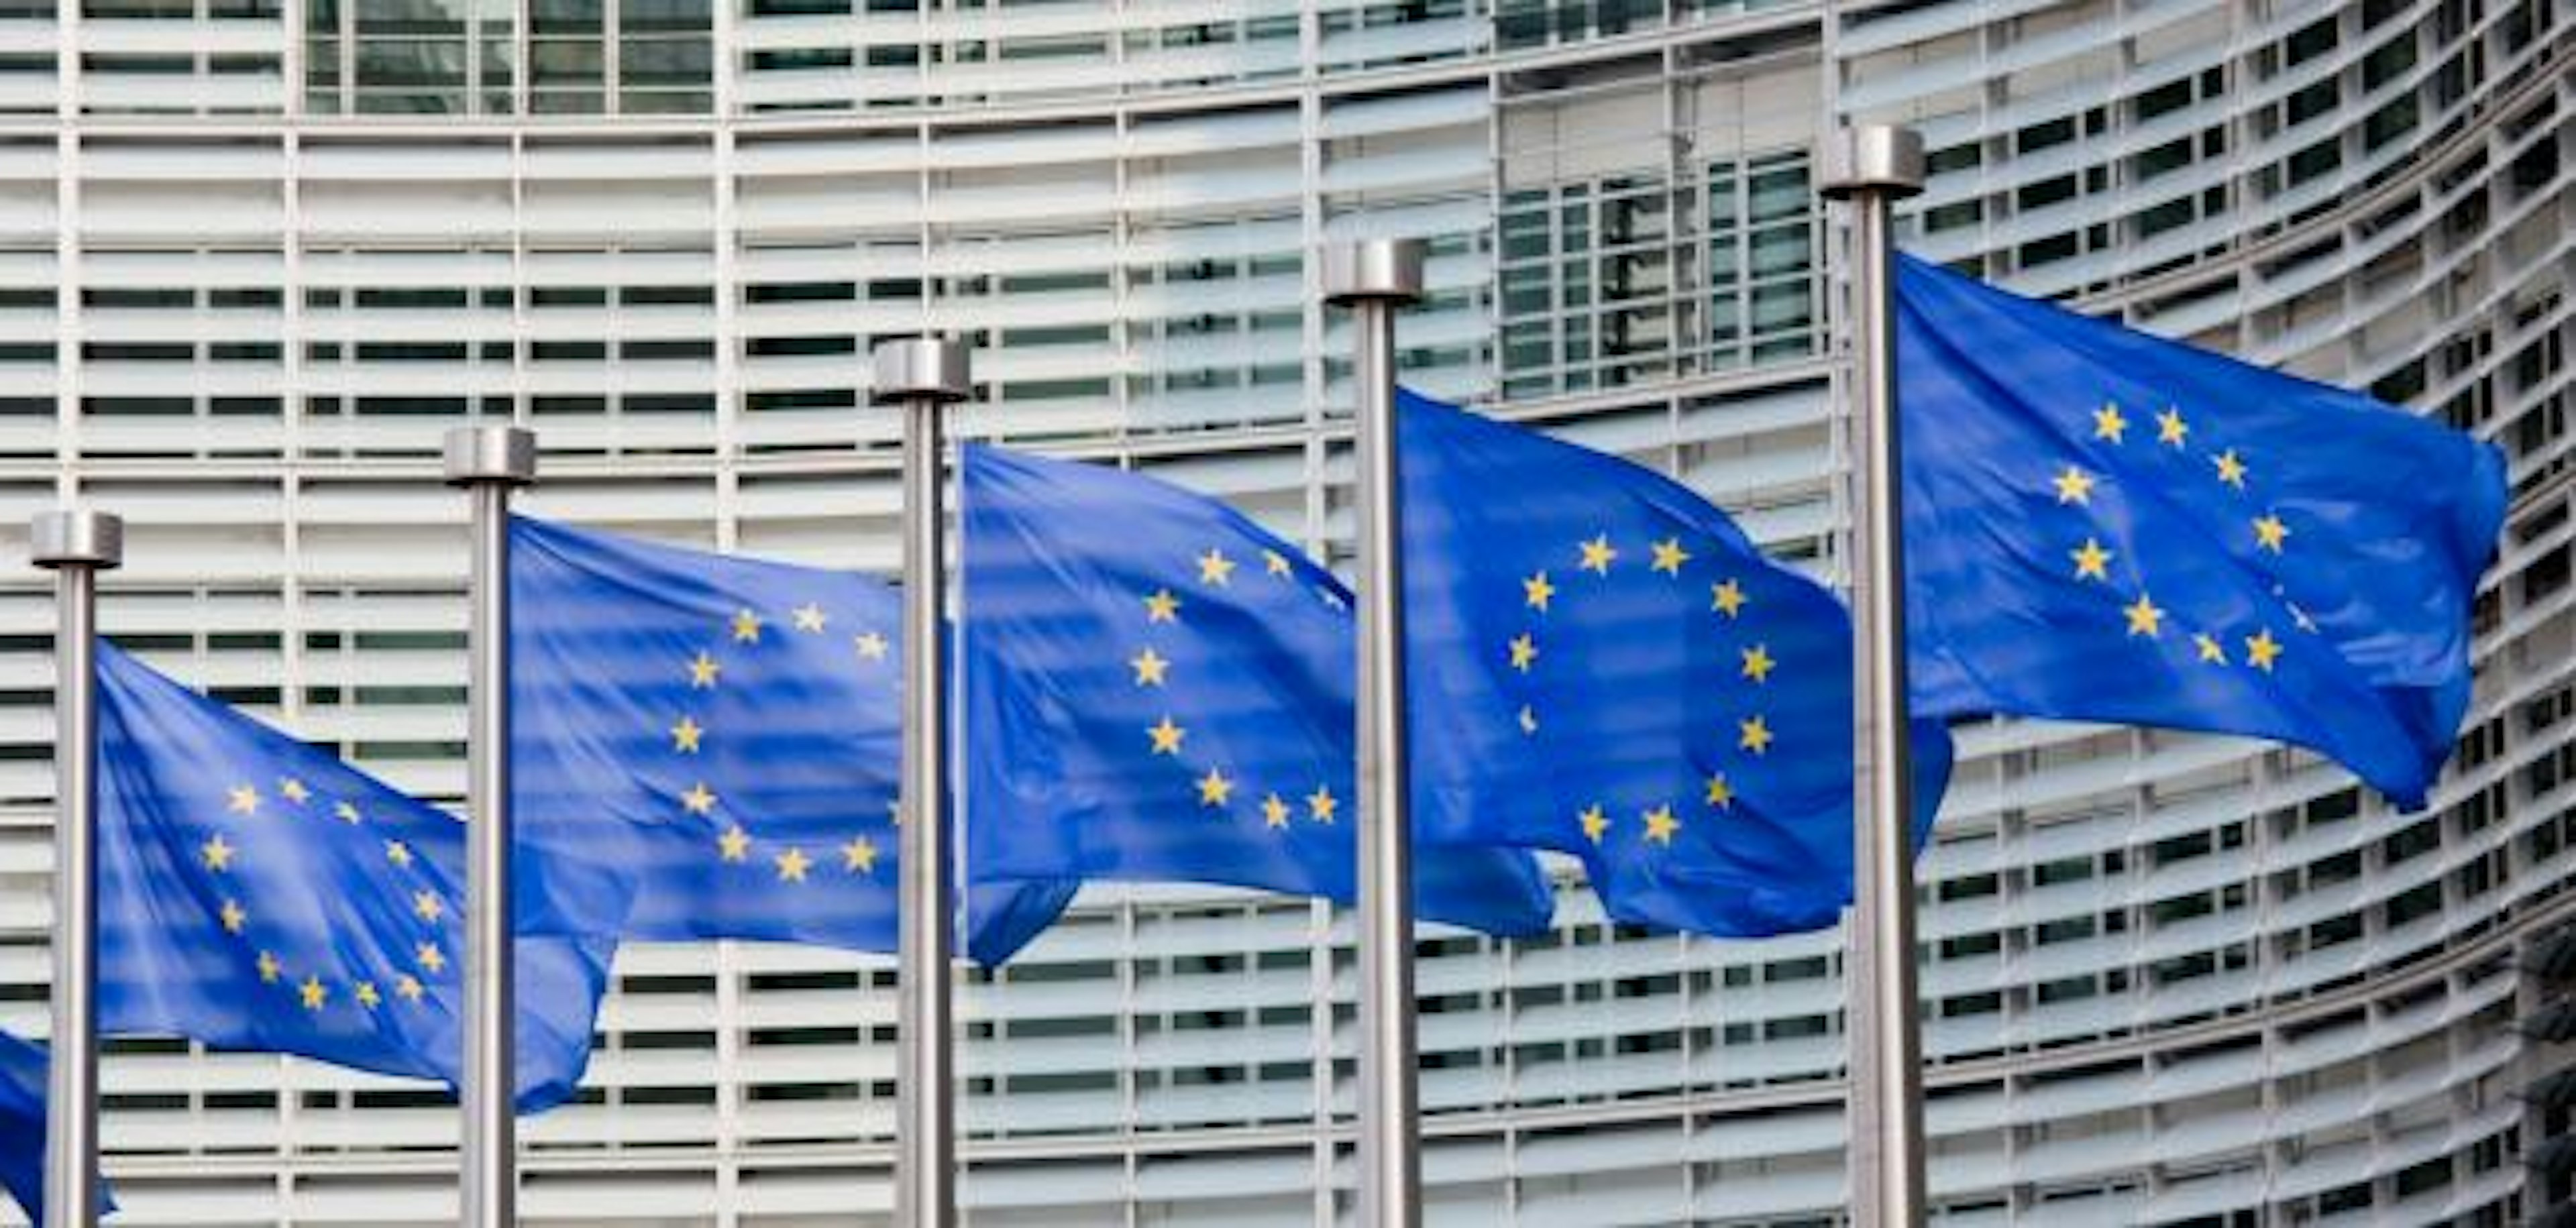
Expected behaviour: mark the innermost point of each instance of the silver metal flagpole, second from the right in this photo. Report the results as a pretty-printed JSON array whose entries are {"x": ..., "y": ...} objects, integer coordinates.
[{"x": 1374, "y": 279}]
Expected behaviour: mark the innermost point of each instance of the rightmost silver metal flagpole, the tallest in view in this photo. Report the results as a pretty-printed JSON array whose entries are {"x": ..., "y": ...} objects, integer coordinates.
[{"x": 1871, "y": 171}]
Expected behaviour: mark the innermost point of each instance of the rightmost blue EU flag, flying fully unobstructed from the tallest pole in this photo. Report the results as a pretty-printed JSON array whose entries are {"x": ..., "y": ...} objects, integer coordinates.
[{"x": 2111, "y": 526}]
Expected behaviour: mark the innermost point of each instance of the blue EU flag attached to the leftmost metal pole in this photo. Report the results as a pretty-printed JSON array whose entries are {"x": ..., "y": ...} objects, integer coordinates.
[{"x": 259, "y": 895}]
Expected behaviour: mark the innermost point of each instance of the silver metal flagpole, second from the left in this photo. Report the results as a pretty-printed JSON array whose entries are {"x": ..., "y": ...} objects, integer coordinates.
[{"x": 491, "y": 462}]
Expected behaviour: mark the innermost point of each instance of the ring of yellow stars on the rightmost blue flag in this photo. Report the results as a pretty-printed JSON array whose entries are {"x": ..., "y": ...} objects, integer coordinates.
[{"x": 2090, "y": 563}]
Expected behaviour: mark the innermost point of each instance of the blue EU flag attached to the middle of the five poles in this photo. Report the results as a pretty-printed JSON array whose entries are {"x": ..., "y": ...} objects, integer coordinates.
[{"x": 1155, "y": 689}]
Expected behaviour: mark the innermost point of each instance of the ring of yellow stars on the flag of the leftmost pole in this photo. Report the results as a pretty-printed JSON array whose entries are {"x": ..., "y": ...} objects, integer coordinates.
[{"x": 292, "y": 797}]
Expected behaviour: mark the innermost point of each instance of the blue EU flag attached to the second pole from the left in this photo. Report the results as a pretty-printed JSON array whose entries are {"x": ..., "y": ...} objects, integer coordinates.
[{"x": 712, "y": 748}]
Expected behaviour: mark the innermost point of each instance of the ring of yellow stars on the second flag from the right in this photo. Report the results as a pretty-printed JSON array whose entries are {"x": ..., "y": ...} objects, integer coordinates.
[{"x": 1727, "y": 599}]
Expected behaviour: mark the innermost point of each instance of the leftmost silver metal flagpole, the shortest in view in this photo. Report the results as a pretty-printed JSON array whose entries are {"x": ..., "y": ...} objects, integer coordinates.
[{"x": 76, "y": 547}]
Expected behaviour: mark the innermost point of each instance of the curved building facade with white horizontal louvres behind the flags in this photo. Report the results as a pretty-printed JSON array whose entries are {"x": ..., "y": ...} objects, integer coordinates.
[{"x": 256, "y": 259}]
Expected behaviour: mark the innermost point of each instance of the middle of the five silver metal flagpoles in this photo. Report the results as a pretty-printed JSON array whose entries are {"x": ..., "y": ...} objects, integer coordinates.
[{"x": 926, "y": 377}]
